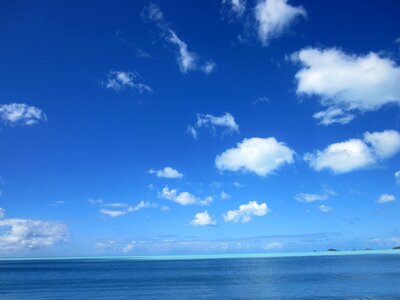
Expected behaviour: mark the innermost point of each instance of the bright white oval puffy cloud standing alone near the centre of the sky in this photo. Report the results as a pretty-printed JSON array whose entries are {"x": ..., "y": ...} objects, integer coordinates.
[{"x": 262, "y": 156}]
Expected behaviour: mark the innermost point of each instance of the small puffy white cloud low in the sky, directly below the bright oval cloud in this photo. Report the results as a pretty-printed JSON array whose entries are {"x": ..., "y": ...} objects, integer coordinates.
[{"x": 246, "y": 212}]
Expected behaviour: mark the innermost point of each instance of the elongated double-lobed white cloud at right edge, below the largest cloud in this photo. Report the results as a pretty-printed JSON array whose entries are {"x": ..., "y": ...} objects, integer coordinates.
[{"x": 356, "y": 154}]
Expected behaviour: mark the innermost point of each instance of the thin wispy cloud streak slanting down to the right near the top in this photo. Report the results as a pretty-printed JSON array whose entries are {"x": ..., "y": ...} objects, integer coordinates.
[{"x": 187, "y": 60}]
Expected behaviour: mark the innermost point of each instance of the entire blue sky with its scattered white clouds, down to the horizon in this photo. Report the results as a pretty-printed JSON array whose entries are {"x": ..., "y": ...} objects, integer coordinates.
[{"x": 198, "y": 126}]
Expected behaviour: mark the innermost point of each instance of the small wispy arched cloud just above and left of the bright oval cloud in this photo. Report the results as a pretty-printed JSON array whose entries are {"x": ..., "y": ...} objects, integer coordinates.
[{"x": 226, "y": 122}]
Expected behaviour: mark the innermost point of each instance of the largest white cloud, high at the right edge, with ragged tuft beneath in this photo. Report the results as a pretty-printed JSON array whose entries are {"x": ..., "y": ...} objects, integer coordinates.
[{"x": 346, "y": 83}]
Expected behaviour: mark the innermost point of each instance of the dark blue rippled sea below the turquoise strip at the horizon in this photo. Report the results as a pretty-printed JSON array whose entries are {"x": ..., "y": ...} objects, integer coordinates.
[{"x": 324, "y": 277}]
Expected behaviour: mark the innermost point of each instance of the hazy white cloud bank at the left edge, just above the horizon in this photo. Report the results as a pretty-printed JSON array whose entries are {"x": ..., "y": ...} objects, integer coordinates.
[{"x": 27, "y": 234}]
